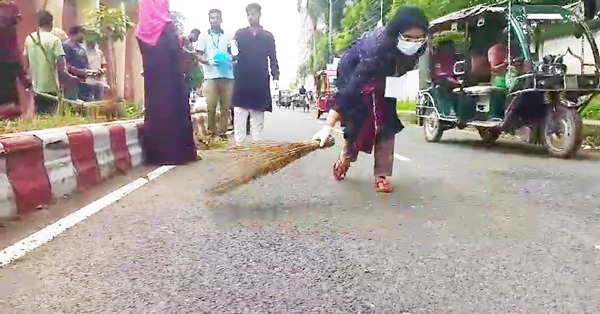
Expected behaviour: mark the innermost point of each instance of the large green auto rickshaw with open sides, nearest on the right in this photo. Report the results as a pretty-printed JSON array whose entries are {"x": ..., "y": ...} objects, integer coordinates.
[{"x": 501, "y": 79}]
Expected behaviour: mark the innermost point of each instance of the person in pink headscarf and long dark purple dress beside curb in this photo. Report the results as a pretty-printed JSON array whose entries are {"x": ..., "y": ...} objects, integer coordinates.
[{"x": 168, "y": 133}]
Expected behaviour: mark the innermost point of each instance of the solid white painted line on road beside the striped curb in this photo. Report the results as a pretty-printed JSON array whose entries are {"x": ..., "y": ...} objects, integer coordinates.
[{"x": 37, "y": 239}]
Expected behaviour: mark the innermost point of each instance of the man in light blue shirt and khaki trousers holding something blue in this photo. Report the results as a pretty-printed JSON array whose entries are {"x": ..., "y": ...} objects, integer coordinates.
[{"x": 213, "y": 48}]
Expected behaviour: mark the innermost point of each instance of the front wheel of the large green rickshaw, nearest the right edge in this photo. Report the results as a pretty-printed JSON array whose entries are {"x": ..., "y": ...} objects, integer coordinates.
[{"x": 563, "y": 132}]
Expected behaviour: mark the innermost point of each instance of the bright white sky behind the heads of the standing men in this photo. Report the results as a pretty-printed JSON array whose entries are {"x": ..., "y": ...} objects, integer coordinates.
[{"x": 280, "y": 17}]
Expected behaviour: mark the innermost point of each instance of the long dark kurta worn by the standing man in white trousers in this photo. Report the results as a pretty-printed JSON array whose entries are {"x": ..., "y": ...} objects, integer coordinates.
[{"x": 252, "y": 88}]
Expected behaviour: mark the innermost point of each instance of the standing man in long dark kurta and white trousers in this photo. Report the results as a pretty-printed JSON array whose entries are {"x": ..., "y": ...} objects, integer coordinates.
[{"x": 252, "y": 90}]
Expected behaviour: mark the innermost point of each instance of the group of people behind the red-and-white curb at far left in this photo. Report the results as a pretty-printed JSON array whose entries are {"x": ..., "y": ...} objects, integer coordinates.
[{"x": 54, "y": 63}]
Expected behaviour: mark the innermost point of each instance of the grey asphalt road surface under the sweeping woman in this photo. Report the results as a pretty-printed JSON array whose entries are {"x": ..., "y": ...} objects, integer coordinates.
[{"x": 470, "y": 229}]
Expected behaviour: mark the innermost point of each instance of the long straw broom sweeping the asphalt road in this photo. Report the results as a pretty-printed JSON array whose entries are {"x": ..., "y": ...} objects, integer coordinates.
[{"x": 258, "y": 160}]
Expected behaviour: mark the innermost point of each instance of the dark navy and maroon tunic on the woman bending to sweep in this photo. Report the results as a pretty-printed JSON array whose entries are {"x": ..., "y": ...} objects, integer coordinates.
[{"x": 360, "y": 68}]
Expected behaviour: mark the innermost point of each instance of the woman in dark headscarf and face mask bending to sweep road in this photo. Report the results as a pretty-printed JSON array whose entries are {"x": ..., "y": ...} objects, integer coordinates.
[{"x": 370, "y": 119}]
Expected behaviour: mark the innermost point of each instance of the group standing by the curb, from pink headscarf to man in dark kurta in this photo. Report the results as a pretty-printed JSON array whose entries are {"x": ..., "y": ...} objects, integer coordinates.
[{"x": 235, "y": 74}]
